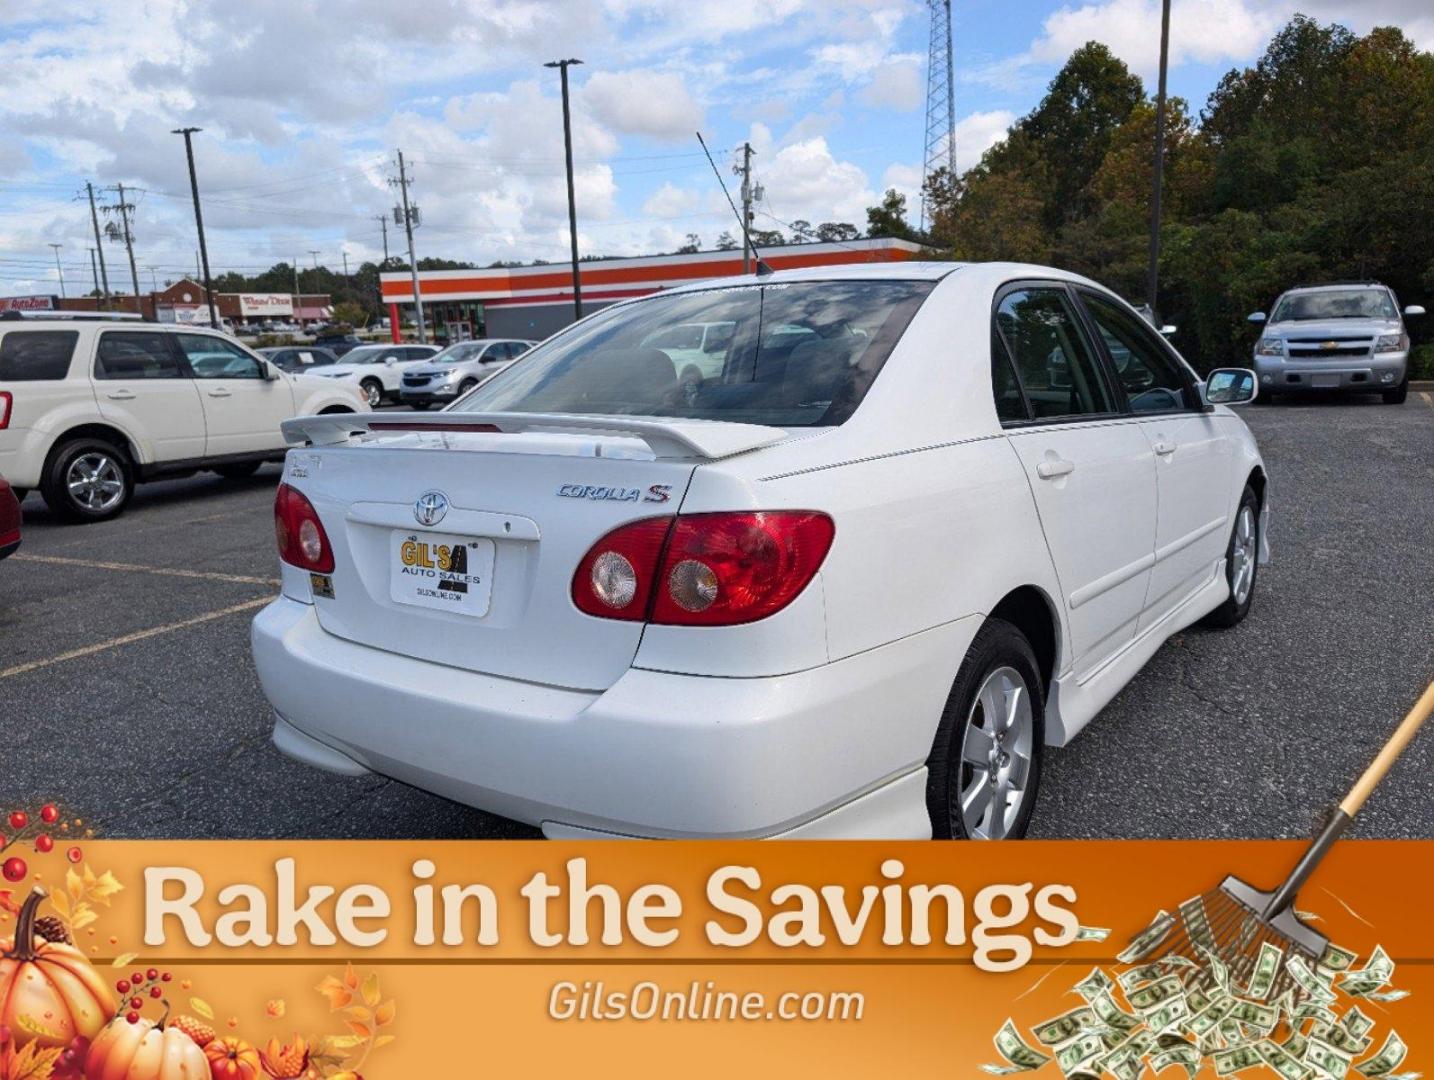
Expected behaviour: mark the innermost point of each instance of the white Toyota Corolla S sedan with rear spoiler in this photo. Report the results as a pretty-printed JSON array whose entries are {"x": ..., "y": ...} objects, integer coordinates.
[{"x": 920, "y": 523}]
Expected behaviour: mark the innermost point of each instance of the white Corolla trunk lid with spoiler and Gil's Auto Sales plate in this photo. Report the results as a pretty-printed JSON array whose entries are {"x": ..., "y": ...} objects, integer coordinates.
[{"x": 524, "y": 506}]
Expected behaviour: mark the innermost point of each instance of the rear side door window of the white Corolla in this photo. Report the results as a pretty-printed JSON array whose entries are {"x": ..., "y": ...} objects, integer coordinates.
[{"x": 1053, "y": 356}]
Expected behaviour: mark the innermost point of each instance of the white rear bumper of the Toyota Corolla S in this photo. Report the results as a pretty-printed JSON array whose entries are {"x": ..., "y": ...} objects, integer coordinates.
[{"x": 837, "y": 751}]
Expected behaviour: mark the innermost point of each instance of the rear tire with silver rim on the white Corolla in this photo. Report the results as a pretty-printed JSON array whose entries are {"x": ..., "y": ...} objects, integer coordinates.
[{"x": 966, "y": 761}]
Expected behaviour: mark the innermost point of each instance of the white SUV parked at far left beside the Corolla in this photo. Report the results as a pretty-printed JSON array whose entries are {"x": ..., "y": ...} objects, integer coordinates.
[{"x": 91, "y": 408}]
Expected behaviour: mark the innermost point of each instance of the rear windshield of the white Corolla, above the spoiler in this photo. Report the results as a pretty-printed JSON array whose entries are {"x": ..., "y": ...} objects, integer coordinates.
[{"x": 799, "y": 355}]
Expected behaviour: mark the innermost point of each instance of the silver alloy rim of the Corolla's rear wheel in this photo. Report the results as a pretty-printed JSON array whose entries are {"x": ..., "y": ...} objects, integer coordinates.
[{"x": 996, "y": 757}]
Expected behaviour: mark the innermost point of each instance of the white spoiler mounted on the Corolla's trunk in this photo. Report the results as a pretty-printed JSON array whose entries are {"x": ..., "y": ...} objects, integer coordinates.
[{"x": 666, "y": 438}]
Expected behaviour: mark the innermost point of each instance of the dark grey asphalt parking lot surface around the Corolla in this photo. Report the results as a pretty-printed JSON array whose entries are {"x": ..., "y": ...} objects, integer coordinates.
[{"x": 127, "y": 689}]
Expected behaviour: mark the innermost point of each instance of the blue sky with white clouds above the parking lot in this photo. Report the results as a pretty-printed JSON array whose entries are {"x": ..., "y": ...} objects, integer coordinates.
[{"x": 305, "y": 103}]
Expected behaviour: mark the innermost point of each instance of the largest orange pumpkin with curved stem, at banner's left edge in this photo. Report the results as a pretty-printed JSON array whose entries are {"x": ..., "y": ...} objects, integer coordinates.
[{"x": 49, "y": 993}]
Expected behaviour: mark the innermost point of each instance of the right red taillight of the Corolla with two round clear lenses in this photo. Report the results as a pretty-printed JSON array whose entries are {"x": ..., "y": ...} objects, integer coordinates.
[{"x": 703, "y": 570}]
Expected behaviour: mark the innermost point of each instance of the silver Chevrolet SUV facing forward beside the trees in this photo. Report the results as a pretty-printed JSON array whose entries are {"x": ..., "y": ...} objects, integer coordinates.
[{"x": 1346, "y": 336}]
